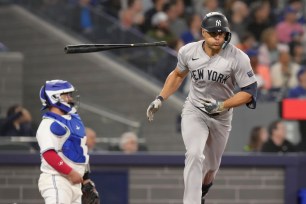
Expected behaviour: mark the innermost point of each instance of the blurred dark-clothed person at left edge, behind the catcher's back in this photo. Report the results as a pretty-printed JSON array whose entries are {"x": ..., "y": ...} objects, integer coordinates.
[{"x": 18, "y": 122}]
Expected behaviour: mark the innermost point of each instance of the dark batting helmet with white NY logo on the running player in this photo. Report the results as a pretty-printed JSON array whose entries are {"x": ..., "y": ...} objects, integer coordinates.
[{"x": 217, "y": 22}]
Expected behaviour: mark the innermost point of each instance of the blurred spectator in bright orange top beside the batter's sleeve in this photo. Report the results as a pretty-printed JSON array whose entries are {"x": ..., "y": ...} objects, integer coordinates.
[{"x": 262, "y": 72}]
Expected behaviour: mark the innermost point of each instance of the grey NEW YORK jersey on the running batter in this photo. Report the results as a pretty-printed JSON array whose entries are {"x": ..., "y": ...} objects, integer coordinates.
[{"x": 214, "y": 77}]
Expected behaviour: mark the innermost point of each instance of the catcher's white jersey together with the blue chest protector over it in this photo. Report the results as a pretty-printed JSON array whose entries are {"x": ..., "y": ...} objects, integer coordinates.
[{"x": 70, "y": 146}]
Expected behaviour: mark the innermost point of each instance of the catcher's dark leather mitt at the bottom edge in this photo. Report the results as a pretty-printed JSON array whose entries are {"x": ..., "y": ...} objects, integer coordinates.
[{"x": 90, "y": 194}]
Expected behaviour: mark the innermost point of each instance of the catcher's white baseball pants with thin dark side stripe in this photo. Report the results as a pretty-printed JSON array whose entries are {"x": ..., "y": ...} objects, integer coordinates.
[{"x": 56, "y": 189}]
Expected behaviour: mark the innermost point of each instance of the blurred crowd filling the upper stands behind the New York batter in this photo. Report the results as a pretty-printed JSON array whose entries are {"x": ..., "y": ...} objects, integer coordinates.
[{"x": 271, "y": 32}]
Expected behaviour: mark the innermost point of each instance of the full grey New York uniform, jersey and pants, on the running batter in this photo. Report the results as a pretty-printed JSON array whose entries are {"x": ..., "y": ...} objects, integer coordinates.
[{"x": 205, "y": 136}]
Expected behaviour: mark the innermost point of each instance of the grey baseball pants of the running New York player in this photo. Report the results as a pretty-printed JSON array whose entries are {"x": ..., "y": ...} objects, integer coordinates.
[{"x": 205, "y": 139}]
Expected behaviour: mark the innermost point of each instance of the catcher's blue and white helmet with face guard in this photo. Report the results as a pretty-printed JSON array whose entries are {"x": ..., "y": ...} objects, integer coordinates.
[{"x": 50, "y": 95}]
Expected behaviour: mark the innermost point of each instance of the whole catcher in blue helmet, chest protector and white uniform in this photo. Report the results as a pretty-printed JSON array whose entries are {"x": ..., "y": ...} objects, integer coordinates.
[{"x": 61, "y": 138}]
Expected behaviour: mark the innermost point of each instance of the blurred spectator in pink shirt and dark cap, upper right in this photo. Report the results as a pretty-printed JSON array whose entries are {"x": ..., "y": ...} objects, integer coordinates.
[{"x": 289, "y": 28}]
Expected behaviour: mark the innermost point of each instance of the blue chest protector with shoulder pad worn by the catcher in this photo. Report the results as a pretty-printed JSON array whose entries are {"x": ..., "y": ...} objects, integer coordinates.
[{"x": 72, "y": 148}]
